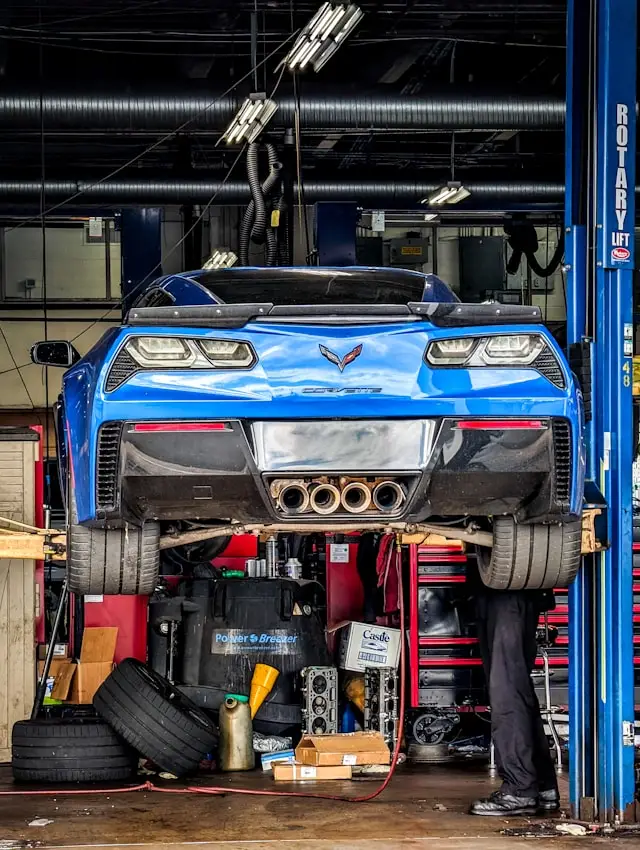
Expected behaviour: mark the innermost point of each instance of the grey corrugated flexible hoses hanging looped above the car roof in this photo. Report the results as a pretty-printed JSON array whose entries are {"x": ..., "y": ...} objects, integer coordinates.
[{"x": 254, "y": 222}]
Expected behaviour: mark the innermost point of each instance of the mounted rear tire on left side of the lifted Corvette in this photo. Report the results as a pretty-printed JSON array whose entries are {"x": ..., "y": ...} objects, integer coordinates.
[{"x": 112, "y": 561}]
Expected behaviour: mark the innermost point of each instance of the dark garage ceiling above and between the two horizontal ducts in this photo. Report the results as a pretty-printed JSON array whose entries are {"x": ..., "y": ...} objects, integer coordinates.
[{"x": 413, "y": 48}]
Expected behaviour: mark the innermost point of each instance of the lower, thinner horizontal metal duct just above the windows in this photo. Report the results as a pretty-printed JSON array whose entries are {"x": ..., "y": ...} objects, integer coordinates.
[{"x": 388, "y": 193}]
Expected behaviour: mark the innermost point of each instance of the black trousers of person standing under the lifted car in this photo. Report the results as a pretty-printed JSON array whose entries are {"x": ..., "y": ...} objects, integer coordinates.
[{"x": 507, "y": 623}]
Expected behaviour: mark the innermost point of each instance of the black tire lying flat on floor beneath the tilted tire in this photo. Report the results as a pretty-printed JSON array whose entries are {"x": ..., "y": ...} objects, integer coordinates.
[{"x": 85, "y": 750}]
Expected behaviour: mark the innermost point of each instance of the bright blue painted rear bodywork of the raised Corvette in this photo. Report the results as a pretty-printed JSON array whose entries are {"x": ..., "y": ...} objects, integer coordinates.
[{"x": 291, "y": 380}]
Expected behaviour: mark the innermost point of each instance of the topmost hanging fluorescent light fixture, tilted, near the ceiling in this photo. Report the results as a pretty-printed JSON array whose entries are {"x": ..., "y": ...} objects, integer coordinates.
[{"x": 323, "y": 35}]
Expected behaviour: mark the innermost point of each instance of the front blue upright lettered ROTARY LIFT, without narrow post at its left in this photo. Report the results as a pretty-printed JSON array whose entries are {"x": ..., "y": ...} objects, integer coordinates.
[{"x": 615, "y": 218}]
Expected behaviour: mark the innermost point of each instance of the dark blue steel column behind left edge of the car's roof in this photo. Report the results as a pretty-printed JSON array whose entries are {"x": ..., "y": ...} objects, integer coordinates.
[{"x": 141, "y": 249}]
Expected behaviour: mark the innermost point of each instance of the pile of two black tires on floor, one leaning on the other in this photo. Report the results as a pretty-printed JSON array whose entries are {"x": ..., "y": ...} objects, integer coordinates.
[{"x": 141, "y": 714}]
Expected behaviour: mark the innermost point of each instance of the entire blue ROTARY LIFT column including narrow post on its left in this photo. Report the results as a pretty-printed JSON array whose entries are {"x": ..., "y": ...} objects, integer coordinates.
[{"x": 599, "y": 220}]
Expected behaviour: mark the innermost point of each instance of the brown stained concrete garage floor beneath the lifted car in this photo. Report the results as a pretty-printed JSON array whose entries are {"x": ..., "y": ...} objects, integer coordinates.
[{"x": 405, "y": 816}]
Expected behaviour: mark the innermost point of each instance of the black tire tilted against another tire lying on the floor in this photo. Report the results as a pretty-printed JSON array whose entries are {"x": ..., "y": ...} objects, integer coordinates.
[{"x": 155, "y": 718}]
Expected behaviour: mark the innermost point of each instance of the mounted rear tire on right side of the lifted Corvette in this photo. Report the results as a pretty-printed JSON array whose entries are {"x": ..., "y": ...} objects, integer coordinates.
[{"x": 531, "y": 557}]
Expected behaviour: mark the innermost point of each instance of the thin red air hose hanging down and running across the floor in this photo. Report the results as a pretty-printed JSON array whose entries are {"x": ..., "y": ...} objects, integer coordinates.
[{"x": 218, "y": 790}]
